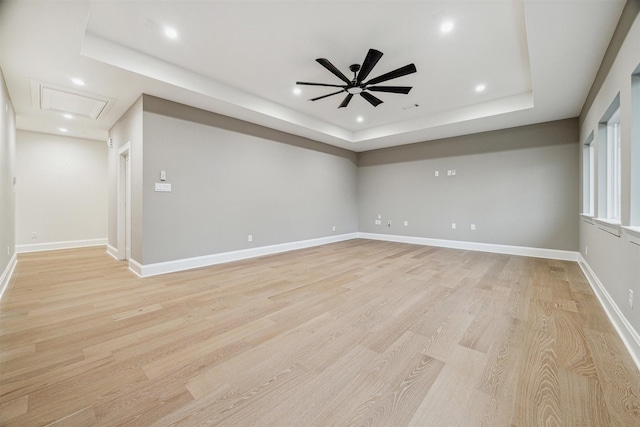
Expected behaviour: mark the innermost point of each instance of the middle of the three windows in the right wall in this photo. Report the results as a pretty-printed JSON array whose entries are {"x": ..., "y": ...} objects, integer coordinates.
[{"x": 614, "y": 193}]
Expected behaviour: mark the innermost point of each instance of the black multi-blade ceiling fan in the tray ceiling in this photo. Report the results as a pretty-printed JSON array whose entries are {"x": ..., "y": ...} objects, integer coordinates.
[{"x": 358, "y": 86}]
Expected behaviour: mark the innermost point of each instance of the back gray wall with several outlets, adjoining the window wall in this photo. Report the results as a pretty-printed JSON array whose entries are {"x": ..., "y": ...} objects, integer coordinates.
[{"x": 518, "y": 186}]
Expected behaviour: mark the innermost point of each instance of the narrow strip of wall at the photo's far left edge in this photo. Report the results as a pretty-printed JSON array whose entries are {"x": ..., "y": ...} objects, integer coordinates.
[{"x": 7, "y": 172}]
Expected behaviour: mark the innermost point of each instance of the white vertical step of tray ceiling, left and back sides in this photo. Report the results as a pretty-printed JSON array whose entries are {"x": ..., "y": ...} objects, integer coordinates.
[{"x": 245, "y": 106}]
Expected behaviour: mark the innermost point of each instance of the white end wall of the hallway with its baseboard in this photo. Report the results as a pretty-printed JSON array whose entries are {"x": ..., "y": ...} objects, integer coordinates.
[{"x": 61, "y": 192}]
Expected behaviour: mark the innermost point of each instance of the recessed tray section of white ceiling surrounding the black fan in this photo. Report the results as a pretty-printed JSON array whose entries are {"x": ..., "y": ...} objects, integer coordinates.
[{"x": 266, "y": 68}]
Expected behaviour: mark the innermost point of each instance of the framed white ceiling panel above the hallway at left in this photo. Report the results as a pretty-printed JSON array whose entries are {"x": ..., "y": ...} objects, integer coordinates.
[{"x": 50, "y": 97}]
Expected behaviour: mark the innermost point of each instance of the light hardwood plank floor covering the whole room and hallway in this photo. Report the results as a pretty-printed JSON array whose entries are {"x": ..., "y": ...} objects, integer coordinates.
[{"x": 354, "y": 333}]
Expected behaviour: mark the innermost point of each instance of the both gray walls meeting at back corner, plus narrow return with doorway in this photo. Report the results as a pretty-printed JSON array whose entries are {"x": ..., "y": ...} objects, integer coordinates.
[{"x": 231, "y": 179}]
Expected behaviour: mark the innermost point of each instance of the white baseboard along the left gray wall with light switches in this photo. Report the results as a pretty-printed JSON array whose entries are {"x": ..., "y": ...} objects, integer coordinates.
[{"x": 207, "y": 260}]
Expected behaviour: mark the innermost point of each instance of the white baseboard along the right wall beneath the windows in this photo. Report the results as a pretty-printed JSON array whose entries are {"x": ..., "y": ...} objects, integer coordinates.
[{"x": 627, "y": 333}]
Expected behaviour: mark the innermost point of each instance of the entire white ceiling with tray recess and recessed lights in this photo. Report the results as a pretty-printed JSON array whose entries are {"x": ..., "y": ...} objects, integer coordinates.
[{"x": 537, "y": 59}]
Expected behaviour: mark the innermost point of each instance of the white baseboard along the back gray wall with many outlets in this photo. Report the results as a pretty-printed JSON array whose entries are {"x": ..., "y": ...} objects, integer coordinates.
[{"x": 473, "y": 246}]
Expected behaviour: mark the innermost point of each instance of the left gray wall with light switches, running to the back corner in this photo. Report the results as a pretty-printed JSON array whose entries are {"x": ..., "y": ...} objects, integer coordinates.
[{"x": 231, "y": 178}]
